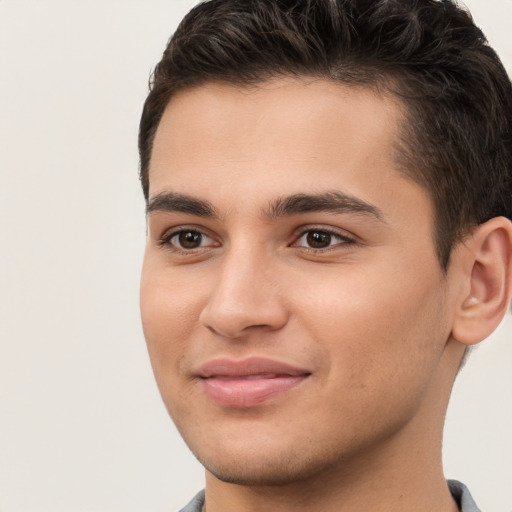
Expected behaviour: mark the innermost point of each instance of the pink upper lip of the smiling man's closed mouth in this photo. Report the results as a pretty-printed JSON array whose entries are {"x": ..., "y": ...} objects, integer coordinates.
[{"x": 225, "y": 367}]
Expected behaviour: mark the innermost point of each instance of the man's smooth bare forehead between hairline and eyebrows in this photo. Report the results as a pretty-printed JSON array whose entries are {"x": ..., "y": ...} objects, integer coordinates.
[{"x": 284, "y": 134}]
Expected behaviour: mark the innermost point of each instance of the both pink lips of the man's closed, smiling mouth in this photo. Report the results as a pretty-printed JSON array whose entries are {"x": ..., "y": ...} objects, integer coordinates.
[{"x": 248, "y": 382}]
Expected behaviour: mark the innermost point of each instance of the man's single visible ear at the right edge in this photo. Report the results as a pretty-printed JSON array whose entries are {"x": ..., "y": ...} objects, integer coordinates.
[{"x": 488, "y": 275}]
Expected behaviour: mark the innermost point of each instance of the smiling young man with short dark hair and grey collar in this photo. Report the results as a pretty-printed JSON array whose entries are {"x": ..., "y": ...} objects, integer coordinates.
[{"x": 328, "y": 189}]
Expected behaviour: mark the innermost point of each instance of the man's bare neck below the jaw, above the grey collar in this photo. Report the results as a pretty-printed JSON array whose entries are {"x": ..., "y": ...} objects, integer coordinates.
[{"x": 382, "y": 482}]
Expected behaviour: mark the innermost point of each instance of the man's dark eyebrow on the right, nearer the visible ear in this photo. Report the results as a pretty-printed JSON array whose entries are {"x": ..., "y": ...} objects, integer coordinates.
[{"x": 330, "y": 201}]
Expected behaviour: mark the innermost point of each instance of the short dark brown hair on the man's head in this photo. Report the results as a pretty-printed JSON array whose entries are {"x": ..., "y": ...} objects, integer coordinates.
[{"x": 457, "y": 137}]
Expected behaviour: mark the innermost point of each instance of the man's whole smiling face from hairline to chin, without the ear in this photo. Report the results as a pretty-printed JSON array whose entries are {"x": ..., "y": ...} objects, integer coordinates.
[{"x": 292, "y": 301}]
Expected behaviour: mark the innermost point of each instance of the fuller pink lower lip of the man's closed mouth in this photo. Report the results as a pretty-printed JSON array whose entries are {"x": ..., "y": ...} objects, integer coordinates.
[{"x": 233, "y": 392}]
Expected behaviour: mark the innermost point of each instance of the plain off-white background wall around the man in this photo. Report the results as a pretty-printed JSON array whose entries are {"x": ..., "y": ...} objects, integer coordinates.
[{"x": 82, "y": 427}]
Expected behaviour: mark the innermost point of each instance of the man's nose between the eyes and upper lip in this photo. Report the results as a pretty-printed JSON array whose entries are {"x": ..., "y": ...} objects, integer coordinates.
[{"x": 246, "y": 296}]
